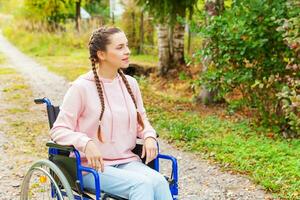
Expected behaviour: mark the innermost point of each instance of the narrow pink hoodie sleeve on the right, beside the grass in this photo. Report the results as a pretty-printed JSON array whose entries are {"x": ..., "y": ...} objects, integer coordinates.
[{"x": 148, "y": 130}]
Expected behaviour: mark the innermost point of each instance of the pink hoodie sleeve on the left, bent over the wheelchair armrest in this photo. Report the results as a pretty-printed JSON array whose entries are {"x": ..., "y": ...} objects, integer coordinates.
[{"x": 63, "y": 131}]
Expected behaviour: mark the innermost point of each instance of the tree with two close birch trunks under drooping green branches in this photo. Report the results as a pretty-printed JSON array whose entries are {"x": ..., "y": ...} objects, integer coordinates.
[{"x": 170, "y": 16}]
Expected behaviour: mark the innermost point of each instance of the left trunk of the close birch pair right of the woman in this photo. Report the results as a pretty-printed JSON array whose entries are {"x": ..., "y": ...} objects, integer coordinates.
[{"x": 163, "y": 49}]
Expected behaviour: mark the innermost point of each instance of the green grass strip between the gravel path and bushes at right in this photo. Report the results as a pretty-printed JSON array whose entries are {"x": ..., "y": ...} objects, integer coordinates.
[{"x": 237, "y": 145}]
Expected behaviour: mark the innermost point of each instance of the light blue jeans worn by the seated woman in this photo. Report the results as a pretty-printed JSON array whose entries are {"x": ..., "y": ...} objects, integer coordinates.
[{"x": 133, "y": 180}]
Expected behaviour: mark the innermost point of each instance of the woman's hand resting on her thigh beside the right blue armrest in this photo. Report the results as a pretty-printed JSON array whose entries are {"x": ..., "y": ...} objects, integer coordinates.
[{"x": 149, "y": 149}]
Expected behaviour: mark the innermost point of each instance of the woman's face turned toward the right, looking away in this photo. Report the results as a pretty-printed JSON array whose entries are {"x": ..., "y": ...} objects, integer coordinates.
[{"x": 117, "y": 52}]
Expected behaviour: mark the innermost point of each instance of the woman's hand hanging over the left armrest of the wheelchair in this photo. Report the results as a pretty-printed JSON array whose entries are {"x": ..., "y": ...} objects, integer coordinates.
[{"x": 94, "y": 156}]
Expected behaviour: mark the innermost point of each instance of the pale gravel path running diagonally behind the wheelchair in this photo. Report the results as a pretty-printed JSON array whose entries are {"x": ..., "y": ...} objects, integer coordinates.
[{"x": 198, "y": 180}]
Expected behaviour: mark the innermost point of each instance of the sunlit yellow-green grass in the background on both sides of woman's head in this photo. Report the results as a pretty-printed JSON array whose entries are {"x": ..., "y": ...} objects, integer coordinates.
[{"x": 63, "y": 53}]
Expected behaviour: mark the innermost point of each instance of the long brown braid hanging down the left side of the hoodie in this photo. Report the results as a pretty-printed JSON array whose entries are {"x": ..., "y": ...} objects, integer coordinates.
[{"x": 101, "y": 97}]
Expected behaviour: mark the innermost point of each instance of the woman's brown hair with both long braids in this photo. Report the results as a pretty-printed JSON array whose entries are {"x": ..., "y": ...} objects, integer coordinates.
[{"x": 98, "y": 42}]
